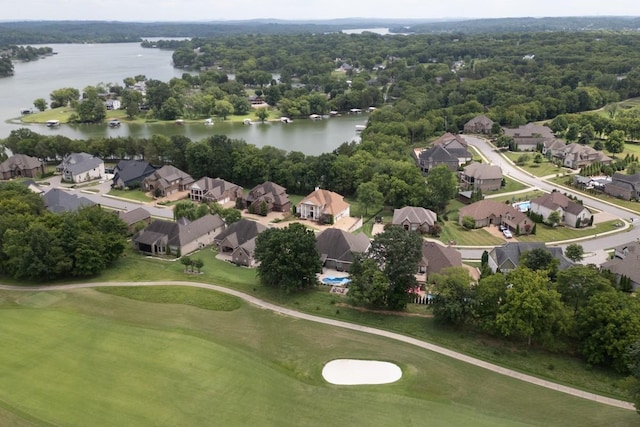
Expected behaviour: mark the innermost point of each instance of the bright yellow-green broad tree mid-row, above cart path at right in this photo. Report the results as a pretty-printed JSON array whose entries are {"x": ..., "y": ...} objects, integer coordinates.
[{"x": 532, "y": 308}]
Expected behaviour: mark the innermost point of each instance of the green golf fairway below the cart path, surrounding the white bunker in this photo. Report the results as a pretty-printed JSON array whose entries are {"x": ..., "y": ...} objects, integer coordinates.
[{"x": 90, "y": 358}]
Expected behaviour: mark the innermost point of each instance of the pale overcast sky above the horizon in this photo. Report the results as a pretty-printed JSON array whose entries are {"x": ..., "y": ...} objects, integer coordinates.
[{"x": 211, "y": 10}]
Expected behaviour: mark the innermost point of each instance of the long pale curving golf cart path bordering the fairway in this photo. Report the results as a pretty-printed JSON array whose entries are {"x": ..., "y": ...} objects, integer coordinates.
[{"x": 346, "y": 325}]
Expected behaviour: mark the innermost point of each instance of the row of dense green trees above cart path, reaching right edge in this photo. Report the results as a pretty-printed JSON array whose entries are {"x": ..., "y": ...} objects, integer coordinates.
[{"x": 579, "y": 308}]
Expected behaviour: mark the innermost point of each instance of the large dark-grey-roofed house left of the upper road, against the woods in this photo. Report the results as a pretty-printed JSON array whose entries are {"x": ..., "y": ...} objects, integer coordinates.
[{"x": 449, "y": 149}]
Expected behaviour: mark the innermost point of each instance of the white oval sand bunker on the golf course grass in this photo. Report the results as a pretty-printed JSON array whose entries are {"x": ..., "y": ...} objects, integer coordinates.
[{"x": 357, "y": 372}]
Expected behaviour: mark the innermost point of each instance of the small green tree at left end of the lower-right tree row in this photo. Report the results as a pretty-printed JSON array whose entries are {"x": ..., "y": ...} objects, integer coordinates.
[{"x": 453, "y": 301}]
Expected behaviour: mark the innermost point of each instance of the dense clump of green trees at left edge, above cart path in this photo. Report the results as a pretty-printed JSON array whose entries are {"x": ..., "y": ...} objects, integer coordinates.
[{"x": 39, "y": 245}]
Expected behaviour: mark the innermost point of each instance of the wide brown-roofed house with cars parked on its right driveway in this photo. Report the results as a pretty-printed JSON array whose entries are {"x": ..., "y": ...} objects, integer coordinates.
[{"x": 489, "y": 212}]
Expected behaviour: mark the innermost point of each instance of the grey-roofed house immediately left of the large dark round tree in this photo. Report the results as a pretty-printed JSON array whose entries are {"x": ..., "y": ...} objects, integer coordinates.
[{"x": 239, "y": 240}]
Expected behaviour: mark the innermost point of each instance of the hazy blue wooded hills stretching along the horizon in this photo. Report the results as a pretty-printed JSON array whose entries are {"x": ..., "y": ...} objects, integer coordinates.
[{"x": 36, "y": 32}]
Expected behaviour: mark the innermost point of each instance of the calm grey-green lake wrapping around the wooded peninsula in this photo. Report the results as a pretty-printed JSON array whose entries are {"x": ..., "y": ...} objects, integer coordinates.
[{"x": 79, "y": 66}]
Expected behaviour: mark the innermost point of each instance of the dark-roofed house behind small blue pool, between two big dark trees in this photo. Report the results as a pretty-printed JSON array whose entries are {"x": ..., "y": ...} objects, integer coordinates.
[{"x": 337, "y": 248}]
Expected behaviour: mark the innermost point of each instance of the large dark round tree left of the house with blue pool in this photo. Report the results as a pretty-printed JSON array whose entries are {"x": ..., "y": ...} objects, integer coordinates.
[{"x": 288, "y": 258}]
